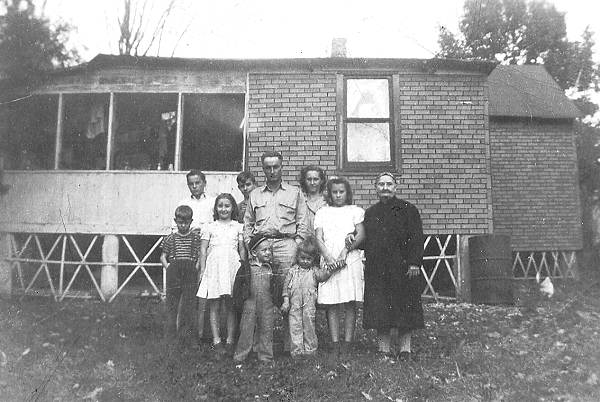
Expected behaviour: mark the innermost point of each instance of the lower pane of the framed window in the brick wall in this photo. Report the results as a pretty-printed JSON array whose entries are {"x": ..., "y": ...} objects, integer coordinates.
[{"x": 368, "y": 142}]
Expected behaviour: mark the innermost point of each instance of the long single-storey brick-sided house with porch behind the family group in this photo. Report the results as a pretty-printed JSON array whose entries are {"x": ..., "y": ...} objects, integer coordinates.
[{"x": 108, "y": 143}]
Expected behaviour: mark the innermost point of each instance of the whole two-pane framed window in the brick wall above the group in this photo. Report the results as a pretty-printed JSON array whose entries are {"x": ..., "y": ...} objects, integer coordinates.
[{"x": 368, "y": 124}]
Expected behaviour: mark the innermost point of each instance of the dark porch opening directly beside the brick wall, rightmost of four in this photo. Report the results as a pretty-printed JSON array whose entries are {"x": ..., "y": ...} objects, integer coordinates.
[{"x": 213, "y": 132}]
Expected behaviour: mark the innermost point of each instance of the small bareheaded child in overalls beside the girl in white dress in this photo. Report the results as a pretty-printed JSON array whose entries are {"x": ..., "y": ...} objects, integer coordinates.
[{"x": 300, "y": 297}]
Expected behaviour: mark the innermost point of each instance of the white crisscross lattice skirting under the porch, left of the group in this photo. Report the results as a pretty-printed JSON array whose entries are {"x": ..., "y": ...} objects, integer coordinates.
[{"x": 52, "y": 264}]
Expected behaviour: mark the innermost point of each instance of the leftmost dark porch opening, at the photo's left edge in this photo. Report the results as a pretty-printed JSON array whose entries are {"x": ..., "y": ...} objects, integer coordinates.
[{"x": 29, "y": 130}]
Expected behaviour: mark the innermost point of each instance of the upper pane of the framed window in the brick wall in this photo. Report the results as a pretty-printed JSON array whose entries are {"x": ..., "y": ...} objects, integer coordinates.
[{"x": 368, "y": 98}]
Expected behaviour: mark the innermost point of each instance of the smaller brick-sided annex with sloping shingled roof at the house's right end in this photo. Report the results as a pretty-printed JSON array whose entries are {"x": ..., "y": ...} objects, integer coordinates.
[{"x": 535, "y": 183}]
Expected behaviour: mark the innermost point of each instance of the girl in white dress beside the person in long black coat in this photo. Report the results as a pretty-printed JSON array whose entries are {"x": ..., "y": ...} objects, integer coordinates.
[{"x": 345, "y": 287}]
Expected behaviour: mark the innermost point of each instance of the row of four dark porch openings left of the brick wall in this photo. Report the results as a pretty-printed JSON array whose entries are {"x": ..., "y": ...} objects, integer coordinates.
[{"x": 144, "y": 131}]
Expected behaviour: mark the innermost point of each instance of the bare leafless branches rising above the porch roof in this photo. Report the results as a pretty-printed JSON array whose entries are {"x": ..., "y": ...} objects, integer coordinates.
[{"x": 142, "y": 26}]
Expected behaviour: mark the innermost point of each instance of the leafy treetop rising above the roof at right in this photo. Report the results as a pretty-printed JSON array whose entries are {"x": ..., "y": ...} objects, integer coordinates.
[{"x": 521, "y": 32}]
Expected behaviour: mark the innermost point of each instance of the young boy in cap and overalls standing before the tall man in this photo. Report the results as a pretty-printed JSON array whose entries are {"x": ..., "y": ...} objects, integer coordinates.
[{"x": 258, "y": 315}]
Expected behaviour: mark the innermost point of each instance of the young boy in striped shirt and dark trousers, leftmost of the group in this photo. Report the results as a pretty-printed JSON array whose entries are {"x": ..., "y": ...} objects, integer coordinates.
[{"x": 180, "y": 258}]
